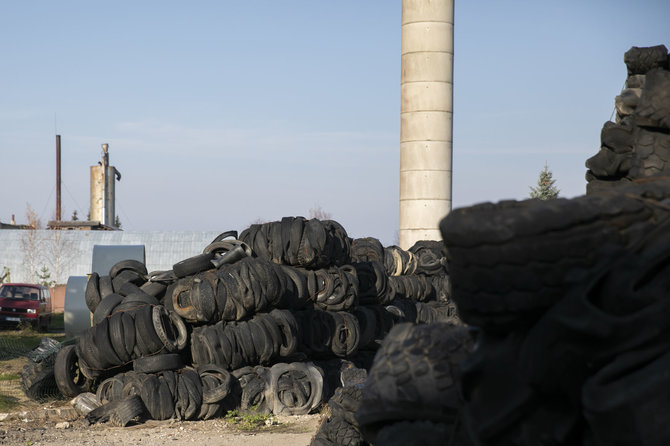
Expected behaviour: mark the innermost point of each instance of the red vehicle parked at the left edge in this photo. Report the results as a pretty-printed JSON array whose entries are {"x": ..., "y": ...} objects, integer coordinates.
[{"x": 25, "y": 302}]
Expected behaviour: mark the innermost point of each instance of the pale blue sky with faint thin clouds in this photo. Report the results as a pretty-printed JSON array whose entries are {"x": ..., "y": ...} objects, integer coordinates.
[{"x": 222, "y": 113}]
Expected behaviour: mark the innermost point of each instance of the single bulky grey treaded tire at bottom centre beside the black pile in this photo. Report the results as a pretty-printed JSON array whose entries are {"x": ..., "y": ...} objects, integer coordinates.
[{"x": 414, "y": 376}]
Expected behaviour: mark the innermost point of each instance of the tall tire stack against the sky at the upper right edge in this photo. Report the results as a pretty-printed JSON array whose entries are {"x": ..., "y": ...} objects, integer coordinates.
[{"x": 637, "y": 144}]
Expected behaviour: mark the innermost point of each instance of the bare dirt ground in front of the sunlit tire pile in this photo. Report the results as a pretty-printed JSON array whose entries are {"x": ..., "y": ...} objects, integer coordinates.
[{"x": 51, "y": 427}]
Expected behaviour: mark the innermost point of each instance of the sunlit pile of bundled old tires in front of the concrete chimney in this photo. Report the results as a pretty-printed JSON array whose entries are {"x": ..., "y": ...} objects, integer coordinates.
[{"x": 264, "y": 321}]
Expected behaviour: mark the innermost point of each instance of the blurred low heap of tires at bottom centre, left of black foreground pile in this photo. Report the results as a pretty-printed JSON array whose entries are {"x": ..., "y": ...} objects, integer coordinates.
[{"x": 412, "y": 394}]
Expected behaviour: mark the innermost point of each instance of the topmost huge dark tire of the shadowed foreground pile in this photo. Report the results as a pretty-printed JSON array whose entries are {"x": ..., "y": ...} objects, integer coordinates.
[{"x": 510, "y": 261}]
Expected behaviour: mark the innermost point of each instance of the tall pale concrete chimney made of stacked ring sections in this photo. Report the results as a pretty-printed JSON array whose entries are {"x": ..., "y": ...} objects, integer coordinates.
[{"x": 426, "y": 92}]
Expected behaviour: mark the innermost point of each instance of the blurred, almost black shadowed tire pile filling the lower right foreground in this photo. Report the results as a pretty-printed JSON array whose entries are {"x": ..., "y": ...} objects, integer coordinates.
[{"x": 570, "y": 301}]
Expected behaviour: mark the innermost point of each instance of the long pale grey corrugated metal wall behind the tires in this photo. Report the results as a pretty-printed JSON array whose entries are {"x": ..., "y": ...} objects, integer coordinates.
[{"x": 69, "y": 253}]
